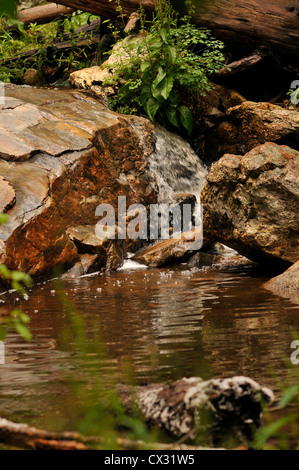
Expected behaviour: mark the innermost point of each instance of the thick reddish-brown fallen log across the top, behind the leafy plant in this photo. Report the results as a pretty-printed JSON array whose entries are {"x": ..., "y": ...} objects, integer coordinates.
[{"x": 243, "y": 24}]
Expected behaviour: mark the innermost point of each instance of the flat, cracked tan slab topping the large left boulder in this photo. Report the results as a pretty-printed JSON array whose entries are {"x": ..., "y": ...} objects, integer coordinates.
[{"x": 48, "y": 121}]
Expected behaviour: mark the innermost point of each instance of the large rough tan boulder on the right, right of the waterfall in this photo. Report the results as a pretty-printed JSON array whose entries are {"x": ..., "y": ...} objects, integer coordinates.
[{"x": 251, "y": 203}]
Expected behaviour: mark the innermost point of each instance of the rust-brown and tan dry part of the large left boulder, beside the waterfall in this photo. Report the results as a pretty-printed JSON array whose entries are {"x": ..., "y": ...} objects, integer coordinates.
[{"x": 64, "y": 154}]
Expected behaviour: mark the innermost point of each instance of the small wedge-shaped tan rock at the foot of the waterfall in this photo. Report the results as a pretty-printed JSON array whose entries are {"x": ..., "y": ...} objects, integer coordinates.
[{"x": 170, "y": 251}]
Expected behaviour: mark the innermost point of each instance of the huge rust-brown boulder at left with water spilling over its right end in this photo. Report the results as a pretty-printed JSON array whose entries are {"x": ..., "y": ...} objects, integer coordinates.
[{"x": 62, "y": 154}]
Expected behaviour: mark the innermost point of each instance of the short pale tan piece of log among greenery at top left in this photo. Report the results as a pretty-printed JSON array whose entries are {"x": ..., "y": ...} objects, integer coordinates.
[{"x": 44, "y": 14}]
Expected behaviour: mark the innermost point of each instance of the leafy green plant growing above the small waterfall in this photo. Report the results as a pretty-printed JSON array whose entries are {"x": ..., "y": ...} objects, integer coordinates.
[{"x": 154, "y": 67}]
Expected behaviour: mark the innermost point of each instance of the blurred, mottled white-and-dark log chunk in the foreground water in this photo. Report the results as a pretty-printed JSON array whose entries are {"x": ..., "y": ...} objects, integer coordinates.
[{"x": 233, "y": 403}]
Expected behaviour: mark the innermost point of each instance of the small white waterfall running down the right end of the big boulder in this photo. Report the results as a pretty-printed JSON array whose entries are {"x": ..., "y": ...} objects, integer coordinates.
[{"x": 176, "y": 166}]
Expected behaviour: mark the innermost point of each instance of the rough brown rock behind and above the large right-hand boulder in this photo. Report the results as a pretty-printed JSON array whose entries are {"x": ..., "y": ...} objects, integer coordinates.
[{"x": 250, "y": 124}]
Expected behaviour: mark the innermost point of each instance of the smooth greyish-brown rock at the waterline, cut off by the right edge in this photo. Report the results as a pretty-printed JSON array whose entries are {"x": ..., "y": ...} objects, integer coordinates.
[{"x": 286, "y": 284}]
